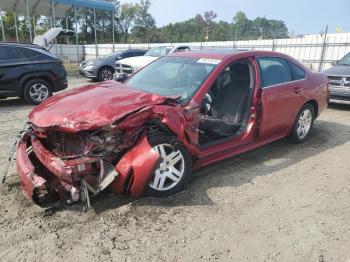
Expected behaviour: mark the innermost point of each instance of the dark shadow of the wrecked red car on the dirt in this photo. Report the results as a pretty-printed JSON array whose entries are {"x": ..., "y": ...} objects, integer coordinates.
[{"x": 242, "y": 169}]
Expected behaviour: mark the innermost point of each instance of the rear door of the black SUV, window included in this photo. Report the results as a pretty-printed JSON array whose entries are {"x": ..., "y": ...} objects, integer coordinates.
[{"x": 12, "y": 66}]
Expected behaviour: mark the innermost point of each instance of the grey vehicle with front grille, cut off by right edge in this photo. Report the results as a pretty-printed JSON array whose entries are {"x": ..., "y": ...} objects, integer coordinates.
[{"x": 339, "y": 80}]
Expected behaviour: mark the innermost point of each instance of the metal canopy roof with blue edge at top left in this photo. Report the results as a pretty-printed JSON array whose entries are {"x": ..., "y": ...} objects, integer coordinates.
[{"x": 44, "y": 7}]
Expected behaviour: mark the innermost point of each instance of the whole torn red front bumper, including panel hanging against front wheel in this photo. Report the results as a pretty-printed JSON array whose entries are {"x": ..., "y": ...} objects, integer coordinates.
[{"x": 47, "y": 179}]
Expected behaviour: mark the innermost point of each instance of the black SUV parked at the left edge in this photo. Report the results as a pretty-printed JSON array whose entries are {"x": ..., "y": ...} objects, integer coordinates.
[{"x": 30, "y": 72}]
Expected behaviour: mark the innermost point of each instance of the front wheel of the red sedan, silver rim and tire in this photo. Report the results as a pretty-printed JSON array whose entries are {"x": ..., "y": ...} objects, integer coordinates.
[{"x": 174, "y": 170}]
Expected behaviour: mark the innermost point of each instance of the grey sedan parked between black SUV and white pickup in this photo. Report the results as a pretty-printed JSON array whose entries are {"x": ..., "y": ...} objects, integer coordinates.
[{"x": 103, "y": 68}]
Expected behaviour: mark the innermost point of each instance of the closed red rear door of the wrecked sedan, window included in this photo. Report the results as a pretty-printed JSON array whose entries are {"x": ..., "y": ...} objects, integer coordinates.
[{"x": 281, "y": 96}]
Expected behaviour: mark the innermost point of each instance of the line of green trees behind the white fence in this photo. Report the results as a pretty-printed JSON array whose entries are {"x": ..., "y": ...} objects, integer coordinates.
[{"x": 134, "y": 23}]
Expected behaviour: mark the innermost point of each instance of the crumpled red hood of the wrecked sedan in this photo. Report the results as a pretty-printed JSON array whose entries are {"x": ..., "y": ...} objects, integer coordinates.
[{"x": 91, "y": 107}]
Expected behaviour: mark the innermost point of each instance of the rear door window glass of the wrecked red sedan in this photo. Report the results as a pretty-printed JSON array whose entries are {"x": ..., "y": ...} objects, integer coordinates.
[{"x": 273, "y": 71}]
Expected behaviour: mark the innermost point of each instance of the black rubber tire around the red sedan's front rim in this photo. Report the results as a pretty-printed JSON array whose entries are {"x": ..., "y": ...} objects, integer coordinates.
[{"x": 183, "y": 181}]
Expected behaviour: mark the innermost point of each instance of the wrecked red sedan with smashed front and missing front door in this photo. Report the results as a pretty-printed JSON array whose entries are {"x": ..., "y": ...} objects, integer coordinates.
[{"x": 182, "y": 112}]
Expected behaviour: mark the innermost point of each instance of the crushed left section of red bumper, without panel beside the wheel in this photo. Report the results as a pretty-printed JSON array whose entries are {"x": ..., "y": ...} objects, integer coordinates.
[{"x": 45, "y": 179}]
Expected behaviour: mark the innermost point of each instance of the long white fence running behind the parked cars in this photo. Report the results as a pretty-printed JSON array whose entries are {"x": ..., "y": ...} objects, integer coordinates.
[{"x": 314, "y": 51}]
